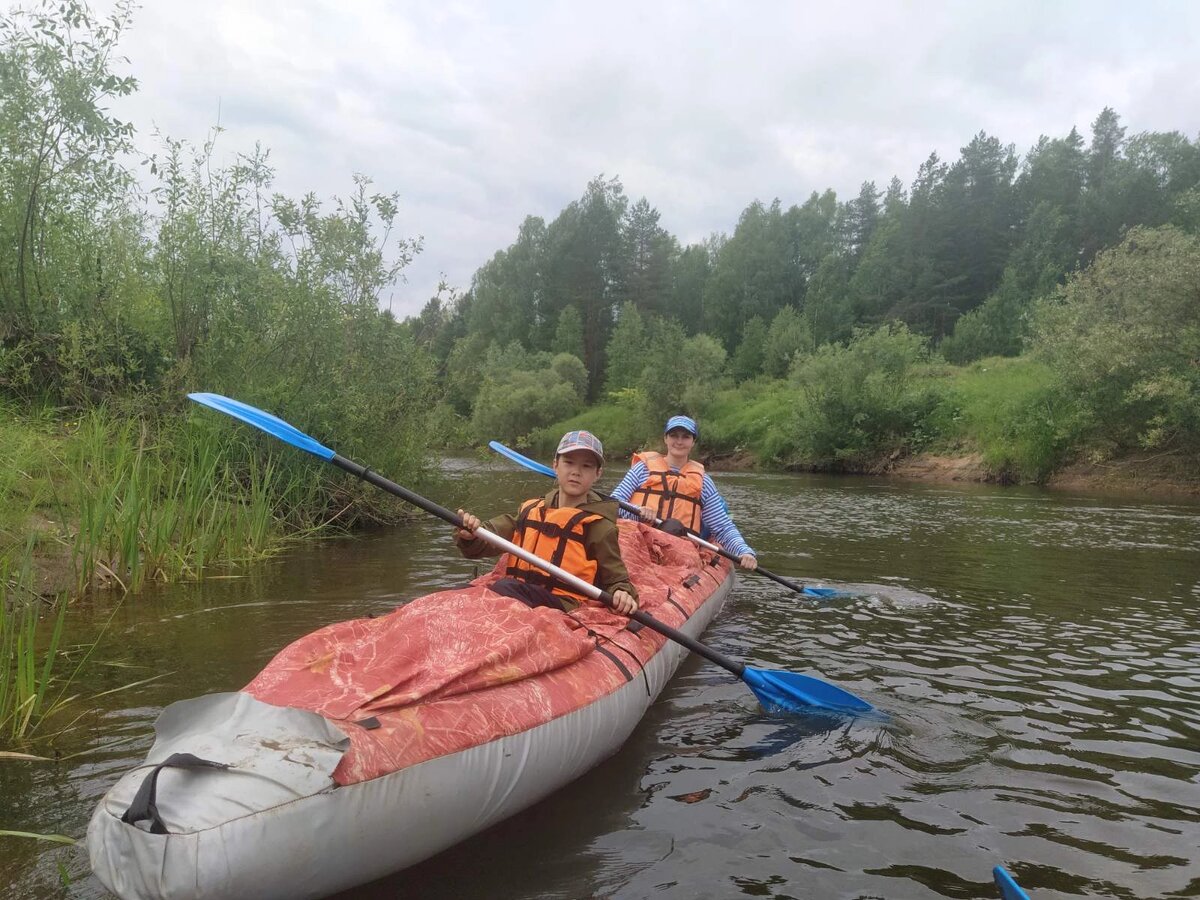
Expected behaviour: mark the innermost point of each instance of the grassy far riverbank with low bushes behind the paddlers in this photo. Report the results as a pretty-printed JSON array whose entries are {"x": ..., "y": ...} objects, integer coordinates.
[{"x": 1000, "y": 421}]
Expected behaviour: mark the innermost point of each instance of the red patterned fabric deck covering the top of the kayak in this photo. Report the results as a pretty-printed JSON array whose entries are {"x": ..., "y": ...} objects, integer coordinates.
[{"x": 461, "y": 668}]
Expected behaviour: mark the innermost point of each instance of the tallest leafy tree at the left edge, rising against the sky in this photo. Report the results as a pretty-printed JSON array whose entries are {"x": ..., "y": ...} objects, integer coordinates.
[{"x": 61, "y": 189}]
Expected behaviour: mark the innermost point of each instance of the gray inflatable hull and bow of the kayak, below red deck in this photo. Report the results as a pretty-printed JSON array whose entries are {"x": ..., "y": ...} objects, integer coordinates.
[{"x": 274, "y": 825}]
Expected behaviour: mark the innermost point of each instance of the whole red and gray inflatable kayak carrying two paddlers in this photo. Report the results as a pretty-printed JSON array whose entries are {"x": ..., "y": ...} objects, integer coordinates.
[{"x": 370, "y": 746}]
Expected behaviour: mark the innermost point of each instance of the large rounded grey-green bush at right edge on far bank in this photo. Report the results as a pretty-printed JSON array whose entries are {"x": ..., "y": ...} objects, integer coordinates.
[{"x": 1124, "y": 338}]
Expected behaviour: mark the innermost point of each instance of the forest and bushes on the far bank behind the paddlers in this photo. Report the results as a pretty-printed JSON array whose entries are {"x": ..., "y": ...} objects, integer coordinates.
[{"x": 845, "y": 326}]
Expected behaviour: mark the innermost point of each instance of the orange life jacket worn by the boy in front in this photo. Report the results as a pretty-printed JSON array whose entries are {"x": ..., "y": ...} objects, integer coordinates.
[{"x": 556, "y": 535}]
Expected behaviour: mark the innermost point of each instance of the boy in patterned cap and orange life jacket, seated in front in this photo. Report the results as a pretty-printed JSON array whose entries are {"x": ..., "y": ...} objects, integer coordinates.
[{"x": 571, "y": 527}]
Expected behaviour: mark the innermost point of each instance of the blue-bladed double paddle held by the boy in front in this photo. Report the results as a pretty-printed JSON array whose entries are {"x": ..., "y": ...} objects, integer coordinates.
[{"x": 778, "y": 692}]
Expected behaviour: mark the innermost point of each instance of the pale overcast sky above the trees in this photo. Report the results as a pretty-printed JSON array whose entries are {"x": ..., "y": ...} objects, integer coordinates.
[{"x": 483, "y": 113}]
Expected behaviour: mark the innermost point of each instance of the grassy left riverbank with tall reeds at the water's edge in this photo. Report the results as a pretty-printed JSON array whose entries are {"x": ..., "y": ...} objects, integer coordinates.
[{"x": 116, "y": 502}]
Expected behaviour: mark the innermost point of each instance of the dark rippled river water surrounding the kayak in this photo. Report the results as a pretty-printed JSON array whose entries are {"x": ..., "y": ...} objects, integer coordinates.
[{"x": 1037, "y": 655}]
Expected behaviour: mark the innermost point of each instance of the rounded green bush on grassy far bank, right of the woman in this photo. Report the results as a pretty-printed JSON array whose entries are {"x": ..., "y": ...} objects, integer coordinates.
[{"x": 861, "y": 401}]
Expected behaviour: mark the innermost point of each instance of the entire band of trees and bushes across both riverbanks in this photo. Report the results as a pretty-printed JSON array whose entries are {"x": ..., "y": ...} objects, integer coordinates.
[{"x": 825, "y": 333}]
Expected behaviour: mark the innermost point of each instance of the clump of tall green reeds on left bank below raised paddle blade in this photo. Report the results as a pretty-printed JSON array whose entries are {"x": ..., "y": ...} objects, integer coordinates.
[{"x": 165, "y": 501}]
